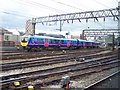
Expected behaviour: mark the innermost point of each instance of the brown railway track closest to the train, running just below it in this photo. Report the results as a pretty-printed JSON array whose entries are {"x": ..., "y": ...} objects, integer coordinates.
[{"x": 24, "y": 55}]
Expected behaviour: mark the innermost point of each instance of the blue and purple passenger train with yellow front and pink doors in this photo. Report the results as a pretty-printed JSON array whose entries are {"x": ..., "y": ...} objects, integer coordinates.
[{"x": 29, "y": 42}]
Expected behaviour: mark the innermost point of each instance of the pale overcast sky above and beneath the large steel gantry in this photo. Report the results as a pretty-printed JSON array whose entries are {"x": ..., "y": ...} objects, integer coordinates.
[{"x": 14, "y": 13}]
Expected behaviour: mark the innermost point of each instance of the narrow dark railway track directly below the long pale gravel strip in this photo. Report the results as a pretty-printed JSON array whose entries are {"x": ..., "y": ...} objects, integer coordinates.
[{"x": 61, "y": 67}]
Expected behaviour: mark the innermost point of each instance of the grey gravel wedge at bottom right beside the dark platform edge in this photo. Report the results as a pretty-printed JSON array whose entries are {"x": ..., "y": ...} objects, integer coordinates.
[{"x": 87, "y": 80}]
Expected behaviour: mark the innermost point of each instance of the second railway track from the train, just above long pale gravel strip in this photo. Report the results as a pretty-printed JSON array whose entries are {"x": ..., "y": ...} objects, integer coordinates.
[{"x": 48, "y": 61}]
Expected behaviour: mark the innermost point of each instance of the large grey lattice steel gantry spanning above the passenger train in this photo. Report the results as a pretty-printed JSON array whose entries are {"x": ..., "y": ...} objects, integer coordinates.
[{"x": 114, "y": 12}]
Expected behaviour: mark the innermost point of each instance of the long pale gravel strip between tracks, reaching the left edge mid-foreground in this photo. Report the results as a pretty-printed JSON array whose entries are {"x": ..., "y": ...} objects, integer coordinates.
[{"x": 24, "y": 70}]
